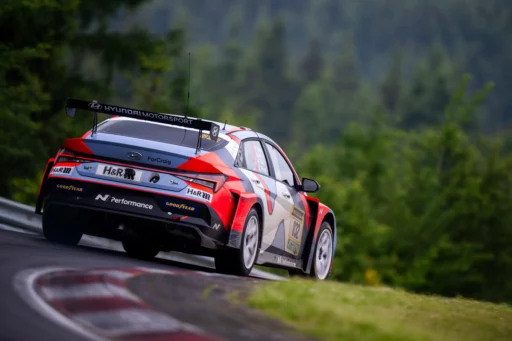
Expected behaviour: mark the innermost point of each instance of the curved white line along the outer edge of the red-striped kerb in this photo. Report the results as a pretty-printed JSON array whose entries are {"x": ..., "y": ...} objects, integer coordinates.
[{"x": 24, "y": 285}]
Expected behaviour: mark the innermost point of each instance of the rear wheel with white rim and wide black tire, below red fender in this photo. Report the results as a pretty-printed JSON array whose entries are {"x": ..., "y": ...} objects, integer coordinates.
[{"x": 240, "y": 262}]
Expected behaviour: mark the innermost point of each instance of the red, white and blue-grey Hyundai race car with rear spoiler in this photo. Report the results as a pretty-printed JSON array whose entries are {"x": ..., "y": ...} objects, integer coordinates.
[{"x": 161, "y": 182}]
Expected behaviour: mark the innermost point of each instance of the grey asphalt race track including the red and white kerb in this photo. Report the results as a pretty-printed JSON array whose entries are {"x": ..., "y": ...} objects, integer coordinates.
[{"x": 54, "y": 292}]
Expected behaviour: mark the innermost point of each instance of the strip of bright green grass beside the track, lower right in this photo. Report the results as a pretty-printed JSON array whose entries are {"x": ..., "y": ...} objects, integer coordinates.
[{"x": 335, "y": 311}]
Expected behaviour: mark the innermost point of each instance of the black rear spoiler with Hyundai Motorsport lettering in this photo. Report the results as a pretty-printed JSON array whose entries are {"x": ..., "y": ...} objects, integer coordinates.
[{"x": 114, "y": 110}]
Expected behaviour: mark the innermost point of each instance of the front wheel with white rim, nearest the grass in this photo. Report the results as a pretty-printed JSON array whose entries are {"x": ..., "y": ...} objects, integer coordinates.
[{"x": 322, "y": 256}]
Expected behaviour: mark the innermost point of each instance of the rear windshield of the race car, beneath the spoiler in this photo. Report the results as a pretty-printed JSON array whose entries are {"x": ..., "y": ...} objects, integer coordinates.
[{"x": 160, "y": 133}]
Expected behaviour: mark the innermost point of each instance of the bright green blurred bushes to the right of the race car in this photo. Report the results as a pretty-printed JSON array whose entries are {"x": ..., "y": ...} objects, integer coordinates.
[{"x": 420, "y": 207}]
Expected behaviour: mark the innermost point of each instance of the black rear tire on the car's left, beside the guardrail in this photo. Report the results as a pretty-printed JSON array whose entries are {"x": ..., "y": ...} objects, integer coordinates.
[{"x": 62, "y": 226}]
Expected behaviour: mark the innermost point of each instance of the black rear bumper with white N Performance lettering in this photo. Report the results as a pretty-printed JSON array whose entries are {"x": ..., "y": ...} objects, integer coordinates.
[{"x": 149, "y": 214}]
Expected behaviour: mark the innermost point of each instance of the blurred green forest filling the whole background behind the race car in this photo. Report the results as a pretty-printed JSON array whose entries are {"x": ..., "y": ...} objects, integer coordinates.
[{"x": 399, "y": 108}]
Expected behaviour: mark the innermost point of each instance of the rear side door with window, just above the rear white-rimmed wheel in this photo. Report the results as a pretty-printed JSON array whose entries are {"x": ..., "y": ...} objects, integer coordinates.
[{"x": 255, "y": 166}]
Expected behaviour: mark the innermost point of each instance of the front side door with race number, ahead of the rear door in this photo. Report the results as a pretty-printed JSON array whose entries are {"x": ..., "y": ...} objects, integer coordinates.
[{"x": 292, "y": 201}]
